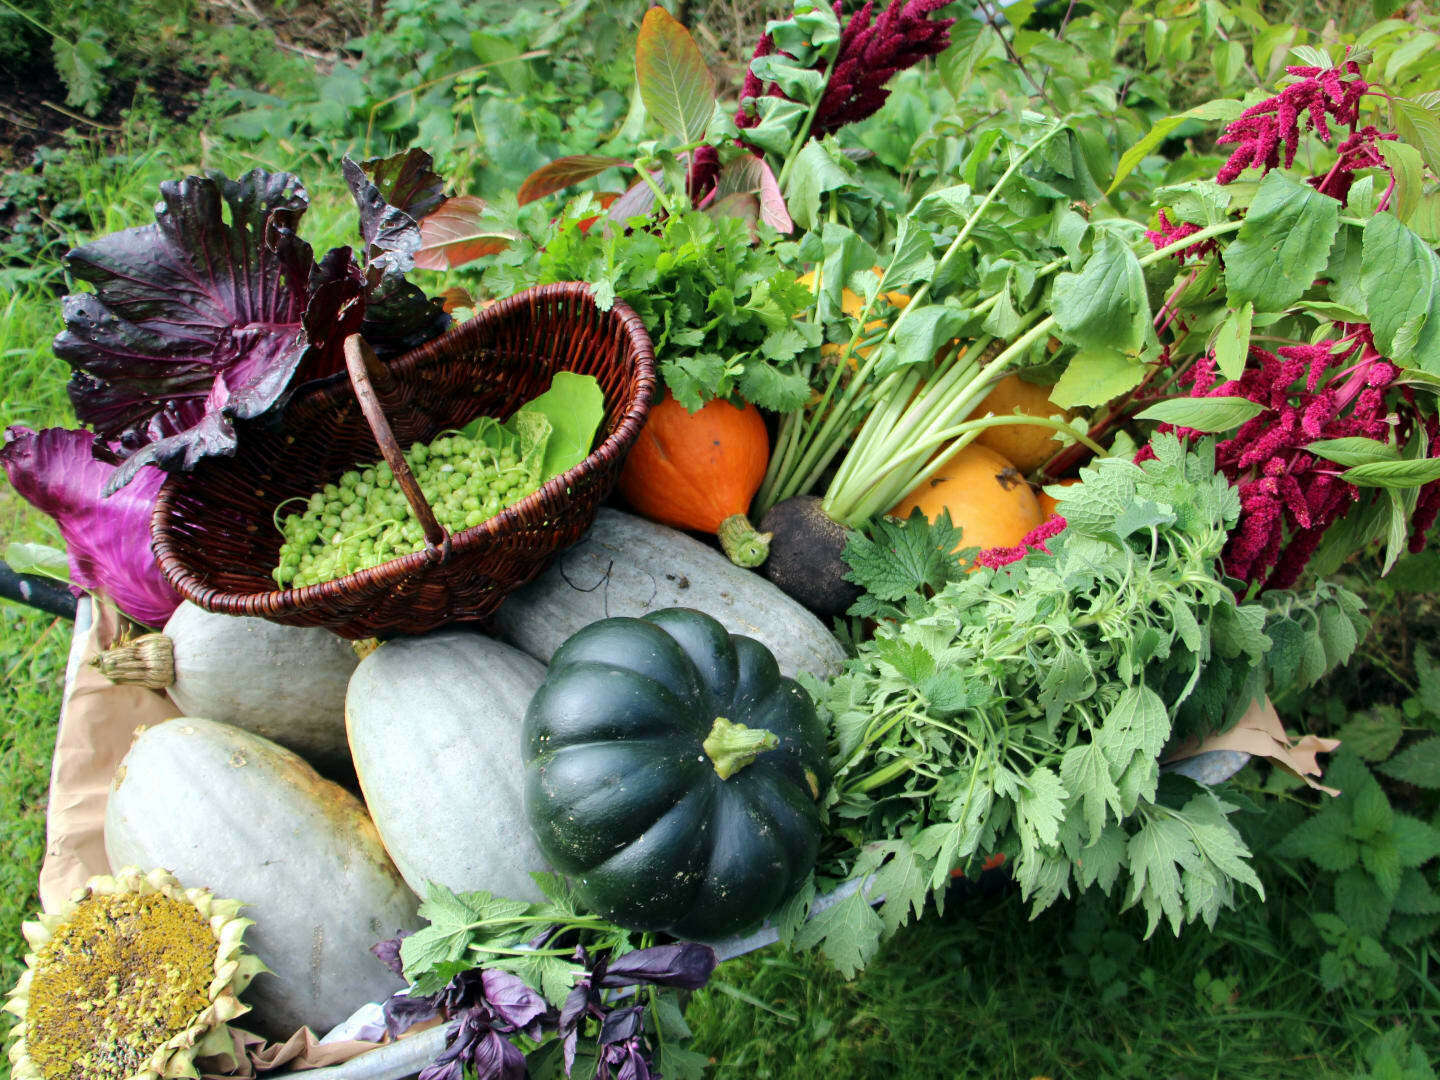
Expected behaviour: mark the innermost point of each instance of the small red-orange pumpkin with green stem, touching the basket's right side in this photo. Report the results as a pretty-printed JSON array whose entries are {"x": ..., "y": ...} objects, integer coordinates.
[{"x": 701, "y": 472}]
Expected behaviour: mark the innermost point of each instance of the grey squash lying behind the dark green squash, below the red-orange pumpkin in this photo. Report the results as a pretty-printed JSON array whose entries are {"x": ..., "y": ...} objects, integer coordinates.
[{"x": 631, "y": 567}]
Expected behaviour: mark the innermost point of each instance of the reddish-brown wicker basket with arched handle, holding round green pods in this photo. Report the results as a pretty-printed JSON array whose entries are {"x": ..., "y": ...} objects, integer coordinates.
[{"x": 214, "y": 534}]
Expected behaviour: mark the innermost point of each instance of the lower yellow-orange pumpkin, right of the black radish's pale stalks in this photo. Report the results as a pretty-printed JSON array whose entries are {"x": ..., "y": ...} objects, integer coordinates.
[{"x": 987, "y": 498}]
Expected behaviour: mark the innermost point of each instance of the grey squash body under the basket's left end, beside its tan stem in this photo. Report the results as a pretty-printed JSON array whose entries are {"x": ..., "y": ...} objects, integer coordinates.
[{"x": 283, "y": 683}]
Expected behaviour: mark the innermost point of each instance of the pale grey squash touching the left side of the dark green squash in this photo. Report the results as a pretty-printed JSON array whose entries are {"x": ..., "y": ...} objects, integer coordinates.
[{"x": 434, "y": 728}]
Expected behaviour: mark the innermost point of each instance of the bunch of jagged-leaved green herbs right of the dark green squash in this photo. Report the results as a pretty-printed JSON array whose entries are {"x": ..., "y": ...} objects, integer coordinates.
[{"x": 1026, "y": 711}]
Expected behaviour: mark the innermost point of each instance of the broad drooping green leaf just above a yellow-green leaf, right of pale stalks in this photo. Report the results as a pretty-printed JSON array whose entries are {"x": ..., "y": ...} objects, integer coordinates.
[{"x": 1105, "y": 306}]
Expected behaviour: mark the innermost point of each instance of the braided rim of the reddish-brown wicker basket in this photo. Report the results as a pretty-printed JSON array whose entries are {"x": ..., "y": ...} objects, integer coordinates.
[{"x": 391, "y": 572}]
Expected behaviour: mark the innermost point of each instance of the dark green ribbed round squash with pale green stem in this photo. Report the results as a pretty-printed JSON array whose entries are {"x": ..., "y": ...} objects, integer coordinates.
[{"x": 675, "y": 774}]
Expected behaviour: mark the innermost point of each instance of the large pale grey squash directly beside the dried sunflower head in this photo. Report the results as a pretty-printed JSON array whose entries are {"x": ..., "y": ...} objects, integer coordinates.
[{"x": 225, "y": 809}]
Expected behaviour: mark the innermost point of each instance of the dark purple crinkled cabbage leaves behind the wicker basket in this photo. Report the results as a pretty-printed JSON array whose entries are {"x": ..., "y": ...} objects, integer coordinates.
[{"x": 214, "y": 312}]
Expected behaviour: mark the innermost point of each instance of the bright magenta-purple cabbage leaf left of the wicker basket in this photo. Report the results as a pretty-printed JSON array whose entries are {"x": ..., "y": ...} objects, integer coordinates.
[{"x": 107, "y": 539}]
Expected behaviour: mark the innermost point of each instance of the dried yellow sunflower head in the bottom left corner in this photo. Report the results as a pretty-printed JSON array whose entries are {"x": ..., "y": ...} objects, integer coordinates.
[{"x": 132, "y": 980}]
